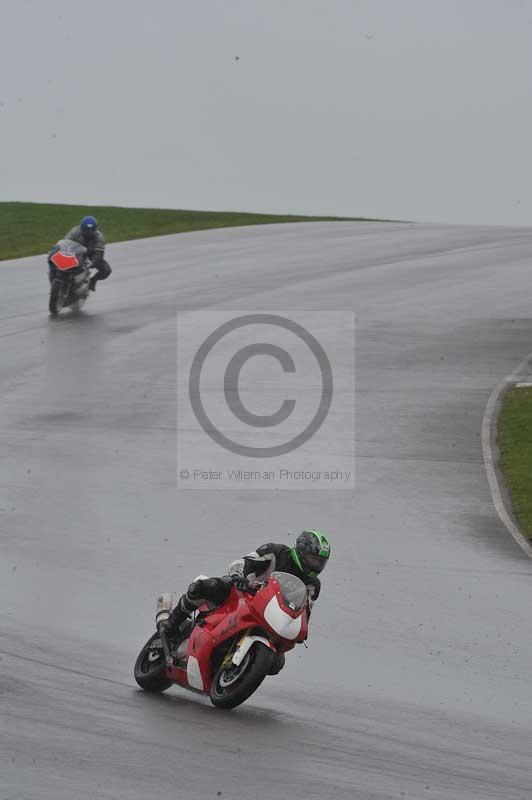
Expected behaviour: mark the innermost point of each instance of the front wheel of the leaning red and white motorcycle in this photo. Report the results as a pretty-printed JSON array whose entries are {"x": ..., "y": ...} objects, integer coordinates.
[{"x": 232, "y": 685}]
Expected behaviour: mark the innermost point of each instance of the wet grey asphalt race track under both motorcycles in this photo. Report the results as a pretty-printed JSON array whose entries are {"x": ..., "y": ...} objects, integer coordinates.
[{"x": 417, "y": 683}]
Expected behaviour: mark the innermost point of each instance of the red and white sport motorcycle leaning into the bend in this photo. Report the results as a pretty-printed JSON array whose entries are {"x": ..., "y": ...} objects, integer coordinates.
[{"x": 228, "y": 651}]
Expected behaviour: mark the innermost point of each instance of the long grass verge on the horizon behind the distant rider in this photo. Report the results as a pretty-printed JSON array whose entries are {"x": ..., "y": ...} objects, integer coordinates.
[{"x": 28, "y": 229}]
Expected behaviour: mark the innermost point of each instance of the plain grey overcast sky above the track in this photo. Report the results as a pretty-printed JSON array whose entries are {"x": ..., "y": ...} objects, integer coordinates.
[{"x": 408, "y": 109}]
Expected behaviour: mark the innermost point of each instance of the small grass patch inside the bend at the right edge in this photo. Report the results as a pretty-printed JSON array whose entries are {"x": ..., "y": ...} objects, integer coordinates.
[{"x": 515, "y": 444}]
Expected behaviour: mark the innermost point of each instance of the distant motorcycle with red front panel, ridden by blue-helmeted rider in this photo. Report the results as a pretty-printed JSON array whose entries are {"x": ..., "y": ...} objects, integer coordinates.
[{"x": 69, "y": 268}]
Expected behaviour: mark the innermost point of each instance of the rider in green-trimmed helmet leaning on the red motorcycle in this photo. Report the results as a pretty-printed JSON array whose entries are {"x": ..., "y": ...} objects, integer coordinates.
[{"x": 306, "y": 560}]
